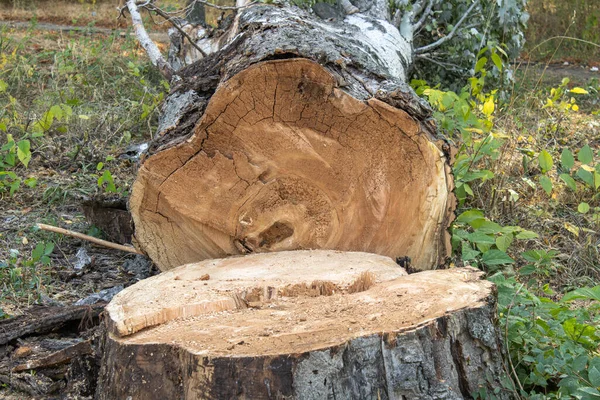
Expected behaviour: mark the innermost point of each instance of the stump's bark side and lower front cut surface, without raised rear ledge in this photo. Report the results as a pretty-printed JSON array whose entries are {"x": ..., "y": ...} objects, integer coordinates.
[{"x": 416, "y": 336}]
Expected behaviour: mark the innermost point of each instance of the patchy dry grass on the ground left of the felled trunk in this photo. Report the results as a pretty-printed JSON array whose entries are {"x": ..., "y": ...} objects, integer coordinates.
[{"x": 111, "y": 93}]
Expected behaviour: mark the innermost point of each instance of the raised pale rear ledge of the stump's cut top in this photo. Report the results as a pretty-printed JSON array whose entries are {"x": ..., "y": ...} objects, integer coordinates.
[{"x": 213, "y": 286}]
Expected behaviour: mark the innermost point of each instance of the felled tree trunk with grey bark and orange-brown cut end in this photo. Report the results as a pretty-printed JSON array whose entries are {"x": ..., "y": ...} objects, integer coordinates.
[{"x": 295, "y": 133}]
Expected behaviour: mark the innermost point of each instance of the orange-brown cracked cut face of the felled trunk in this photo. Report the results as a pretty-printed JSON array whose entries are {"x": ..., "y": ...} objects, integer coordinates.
[{"x": 282, "y": 159}]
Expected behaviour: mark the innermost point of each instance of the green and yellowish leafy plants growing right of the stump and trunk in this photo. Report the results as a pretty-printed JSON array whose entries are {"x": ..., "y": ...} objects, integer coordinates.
[{"x": 552, "y": 345}]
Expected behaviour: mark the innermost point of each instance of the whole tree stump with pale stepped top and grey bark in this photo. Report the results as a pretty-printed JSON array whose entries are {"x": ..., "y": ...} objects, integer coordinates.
[{"x": 302, "y": 325}]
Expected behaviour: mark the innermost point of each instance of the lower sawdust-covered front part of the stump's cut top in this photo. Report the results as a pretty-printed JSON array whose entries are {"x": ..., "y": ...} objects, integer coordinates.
[{"x": 303, "y": 324}]
